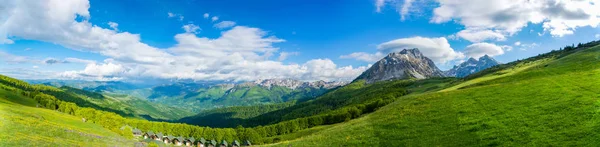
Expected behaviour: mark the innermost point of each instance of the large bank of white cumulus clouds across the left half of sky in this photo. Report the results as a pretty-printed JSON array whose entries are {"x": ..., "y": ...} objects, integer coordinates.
[{"x": 240, "y": 53}]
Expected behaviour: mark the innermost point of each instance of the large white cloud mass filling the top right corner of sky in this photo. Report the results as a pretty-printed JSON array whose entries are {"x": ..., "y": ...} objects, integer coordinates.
[{"x": 508, "y": 17}]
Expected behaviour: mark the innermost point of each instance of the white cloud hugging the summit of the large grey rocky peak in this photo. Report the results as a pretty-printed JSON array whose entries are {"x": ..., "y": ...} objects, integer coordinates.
[{"x": 437, "y": 49}]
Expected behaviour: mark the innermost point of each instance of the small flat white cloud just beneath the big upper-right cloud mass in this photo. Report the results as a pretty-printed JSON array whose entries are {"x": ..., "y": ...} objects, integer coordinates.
[{"x": 480, "y": 35}]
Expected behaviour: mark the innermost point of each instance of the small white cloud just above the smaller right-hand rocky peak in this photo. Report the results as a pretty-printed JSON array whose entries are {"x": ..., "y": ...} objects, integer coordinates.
[{"x": 480, "y": 49}]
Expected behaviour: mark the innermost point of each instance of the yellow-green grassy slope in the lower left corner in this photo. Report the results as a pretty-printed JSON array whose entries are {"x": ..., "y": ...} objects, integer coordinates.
[{"x": 21, "y": 124}]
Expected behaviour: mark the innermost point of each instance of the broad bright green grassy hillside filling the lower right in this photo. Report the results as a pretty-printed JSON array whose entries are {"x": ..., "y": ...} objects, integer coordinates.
[{"x": 552, "y": 102}]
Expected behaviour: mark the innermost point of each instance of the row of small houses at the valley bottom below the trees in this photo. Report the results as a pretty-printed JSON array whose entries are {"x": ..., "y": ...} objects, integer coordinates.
[{"x": 181, "y": 141}]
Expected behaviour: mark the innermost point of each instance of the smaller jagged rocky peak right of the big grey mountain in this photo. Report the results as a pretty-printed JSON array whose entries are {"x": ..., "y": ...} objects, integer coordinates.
[{"x": 471, "y": 66}]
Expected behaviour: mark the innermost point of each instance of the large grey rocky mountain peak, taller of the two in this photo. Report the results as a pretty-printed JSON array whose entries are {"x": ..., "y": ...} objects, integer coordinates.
[{"x": 408, "y": 63}]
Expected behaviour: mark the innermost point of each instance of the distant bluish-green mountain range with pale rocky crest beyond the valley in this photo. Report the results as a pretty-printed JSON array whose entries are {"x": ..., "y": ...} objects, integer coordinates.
[{"x": 269, "y": 91}]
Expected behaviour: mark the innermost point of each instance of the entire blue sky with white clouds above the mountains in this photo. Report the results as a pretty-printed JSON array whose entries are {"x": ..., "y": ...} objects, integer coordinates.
[{"x": 307, "y": 40}]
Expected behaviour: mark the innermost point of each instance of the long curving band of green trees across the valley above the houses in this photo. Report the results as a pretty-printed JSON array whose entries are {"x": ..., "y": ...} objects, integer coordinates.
[{"x": 50, "y": 98}]
